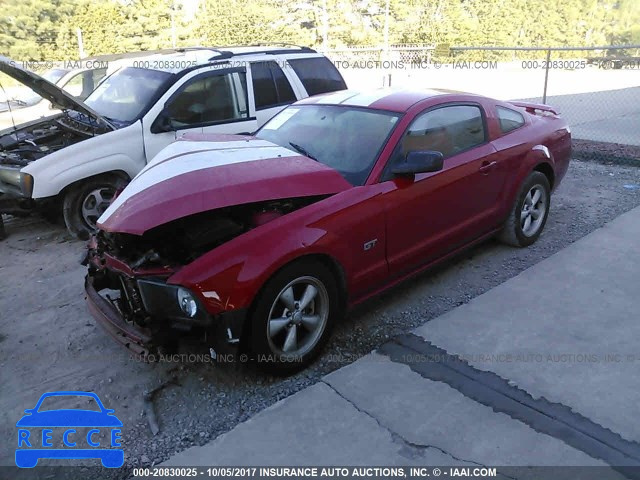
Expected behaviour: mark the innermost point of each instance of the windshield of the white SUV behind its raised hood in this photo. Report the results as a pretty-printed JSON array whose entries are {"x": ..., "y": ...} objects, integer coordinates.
[{"x": 125, "y": 94}]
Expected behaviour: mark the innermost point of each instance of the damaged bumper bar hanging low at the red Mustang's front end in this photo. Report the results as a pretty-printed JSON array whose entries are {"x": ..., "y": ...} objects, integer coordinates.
[{"x": 136, "y": 339}]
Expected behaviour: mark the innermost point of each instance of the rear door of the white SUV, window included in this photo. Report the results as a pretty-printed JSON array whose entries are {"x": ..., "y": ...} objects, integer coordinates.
[{"x": 272, "y": 90}]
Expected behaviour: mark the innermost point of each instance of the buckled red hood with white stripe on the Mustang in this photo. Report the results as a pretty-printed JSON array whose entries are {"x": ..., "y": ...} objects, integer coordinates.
[{"x": 192, "y": 176}]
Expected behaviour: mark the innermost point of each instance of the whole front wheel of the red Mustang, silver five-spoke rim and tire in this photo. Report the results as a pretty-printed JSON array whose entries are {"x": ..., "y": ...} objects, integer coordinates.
[{"x": 292, "y": 317}]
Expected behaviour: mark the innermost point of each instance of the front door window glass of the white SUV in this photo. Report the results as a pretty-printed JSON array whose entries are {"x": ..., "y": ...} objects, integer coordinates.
[{"x": 209, "y": 98}]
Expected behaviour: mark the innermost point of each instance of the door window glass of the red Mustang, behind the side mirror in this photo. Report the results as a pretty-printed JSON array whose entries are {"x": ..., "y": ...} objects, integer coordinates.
[{"x": 449, "y": 130}]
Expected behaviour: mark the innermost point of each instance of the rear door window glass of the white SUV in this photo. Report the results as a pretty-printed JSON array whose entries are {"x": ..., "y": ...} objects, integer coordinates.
[{"x": 270, "y": 85}]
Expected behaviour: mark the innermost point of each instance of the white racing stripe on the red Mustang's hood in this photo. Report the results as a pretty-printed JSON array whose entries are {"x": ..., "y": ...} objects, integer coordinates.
[{"x": 191, "y": 162}]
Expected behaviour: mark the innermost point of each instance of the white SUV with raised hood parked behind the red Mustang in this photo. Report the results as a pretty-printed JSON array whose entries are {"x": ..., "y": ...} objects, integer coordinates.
[{"x": 83, "y": 155}]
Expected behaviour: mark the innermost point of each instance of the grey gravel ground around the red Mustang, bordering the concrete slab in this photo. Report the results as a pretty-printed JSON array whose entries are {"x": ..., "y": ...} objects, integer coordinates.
[{"x": 48, "y": 341}]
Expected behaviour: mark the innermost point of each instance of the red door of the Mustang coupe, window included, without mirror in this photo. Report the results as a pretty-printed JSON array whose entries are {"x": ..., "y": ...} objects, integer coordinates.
[{"x": 433, "y": 213}]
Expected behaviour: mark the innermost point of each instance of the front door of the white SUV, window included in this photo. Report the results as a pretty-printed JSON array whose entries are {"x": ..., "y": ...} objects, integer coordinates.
[{"x": 214, "y": 101}]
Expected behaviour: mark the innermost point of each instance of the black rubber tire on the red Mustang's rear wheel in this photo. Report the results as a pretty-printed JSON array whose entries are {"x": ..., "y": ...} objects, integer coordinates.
[{"x": 513, "y": 232}]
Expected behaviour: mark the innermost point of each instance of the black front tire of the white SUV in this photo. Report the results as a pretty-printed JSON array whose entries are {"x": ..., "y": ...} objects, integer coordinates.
[{"x": 80, "y": 195}]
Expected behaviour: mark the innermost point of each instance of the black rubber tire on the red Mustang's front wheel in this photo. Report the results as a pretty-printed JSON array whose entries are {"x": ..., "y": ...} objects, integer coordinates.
[{"x": 264, "y": 352}]
